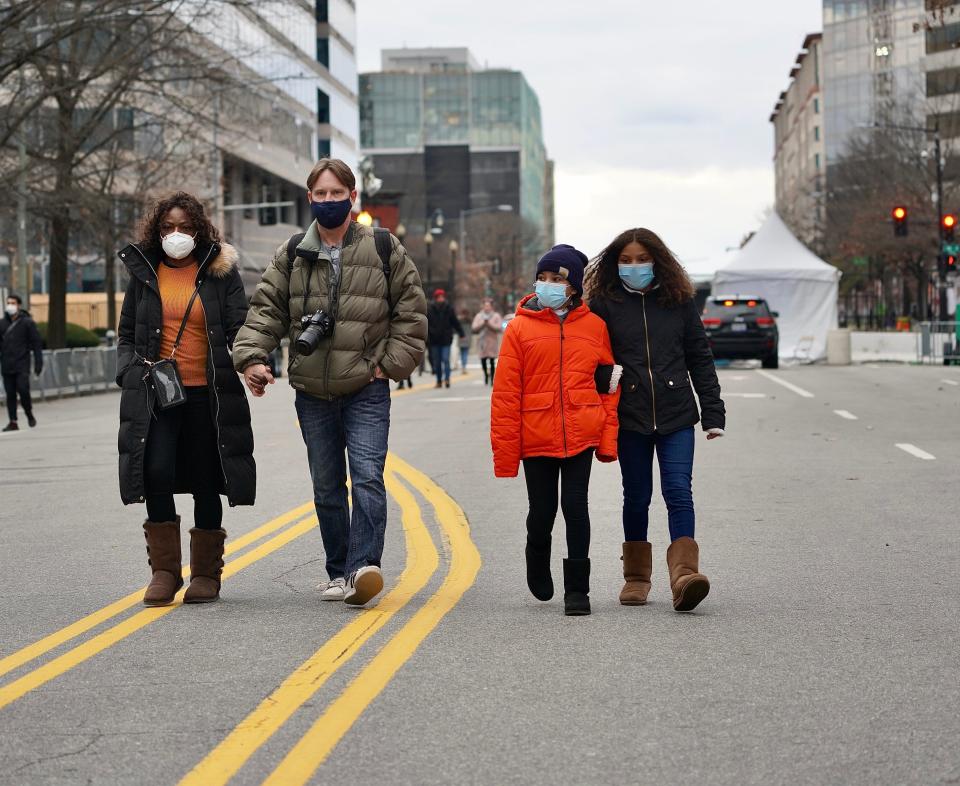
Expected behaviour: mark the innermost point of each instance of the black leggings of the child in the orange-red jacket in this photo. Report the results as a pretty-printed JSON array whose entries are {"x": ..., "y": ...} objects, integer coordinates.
[{"x": 573, "y": 474}]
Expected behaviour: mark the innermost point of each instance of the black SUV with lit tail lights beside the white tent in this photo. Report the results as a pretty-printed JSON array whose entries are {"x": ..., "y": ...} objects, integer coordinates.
[{"x": 742, "y": 327}]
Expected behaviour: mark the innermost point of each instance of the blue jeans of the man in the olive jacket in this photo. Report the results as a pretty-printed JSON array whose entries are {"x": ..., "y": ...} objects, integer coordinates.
[{"x": 358, "y": 424}]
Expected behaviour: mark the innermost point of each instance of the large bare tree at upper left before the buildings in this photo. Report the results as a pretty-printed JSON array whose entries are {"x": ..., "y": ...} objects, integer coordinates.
[{"x": 104, "y": 96}]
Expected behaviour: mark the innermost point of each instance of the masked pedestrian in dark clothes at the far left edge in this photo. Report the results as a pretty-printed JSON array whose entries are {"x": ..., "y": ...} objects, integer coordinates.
[{"x": 19, "y": 339}]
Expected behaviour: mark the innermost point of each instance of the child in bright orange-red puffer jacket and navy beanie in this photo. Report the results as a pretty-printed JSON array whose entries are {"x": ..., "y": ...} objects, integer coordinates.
[{"x": 554, "y": 405}]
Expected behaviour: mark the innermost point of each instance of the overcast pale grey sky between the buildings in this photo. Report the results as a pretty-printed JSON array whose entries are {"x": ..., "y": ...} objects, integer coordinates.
[{"x": 656, "y": 113}]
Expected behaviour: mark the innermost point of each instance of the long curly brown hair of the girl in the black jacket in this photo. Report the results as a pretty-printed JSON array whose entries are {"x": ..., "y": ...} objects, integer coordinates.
[{"x": 603, "y": 276}]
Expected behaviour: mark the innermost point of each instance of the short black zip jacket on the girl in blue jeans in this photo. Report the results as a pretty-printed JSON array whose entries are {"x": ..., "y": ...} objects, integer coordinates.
[{"x": 661, "y": 350}]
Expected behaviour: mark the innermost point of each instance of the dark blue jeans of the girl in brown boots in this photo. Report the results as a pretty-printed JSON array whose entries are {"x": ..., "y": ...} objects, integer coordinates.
[{"x": 675, "y": 457}]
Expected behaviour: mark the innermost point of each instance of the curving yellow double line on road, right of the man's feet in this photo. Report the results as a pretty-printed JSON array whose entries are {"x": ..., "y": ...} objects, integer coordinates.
[{"x": 313, "y": 748}]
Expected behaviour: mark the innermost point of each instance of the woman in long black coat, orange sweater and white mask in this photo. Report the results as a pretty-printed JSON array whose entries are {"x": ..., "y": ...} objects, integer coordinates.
[{"x": 203, "y": 446}]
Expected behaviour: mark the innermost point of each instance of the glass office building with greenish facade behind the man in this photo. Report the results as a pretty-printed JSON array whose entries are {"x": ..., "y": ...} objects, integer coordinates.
[{"x": 447, "y": 135}]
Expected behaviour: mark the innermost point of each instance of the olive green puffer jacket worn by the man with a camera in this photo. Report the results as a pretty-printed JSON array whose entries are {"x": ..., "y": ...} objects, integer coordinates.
[{"x": 365, "y": 336}]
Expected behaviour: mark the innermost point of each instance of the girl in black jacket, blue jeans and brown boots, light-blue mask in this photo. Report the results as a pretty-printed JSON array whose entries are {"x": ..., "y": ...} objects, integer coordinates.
[{"x": 646, "y": 299}]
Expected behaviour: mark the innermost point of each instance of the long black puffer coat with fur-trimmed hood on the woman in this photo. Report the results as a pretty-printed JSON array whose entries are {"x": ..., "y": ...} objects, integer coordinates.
[{"x": 141, "y": 325}]
